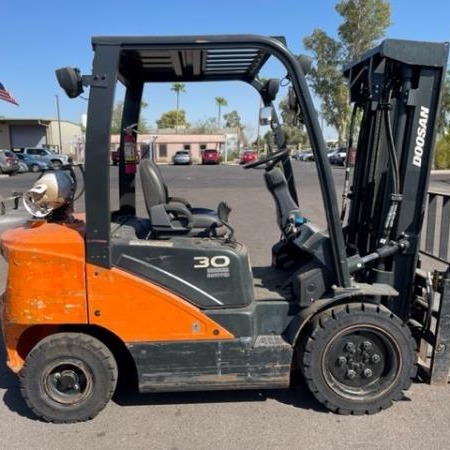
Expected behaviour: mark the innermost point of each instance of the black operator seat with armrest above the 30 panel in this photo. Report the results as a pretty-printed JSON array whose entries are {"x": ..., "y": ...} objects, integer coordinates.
[{"x": 172, "y": 215}]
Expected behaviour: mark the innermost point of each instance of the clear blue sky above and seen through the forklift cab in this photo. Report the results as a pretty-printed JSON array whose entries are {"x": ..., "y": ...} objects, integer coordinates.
[{"x": 38, "y": 37}]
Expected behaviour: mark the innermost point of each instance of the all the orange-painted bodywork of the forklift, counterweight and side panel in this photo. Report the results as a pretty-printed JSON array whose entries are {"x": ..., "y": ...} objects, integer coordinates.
[{"x": 49, "y": 284}]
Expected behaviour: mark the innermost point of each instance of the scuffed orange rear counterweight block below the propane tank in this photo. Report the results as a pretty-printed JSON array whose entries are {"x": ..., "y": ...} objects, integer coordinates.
[{"x": 46, "y": 281}]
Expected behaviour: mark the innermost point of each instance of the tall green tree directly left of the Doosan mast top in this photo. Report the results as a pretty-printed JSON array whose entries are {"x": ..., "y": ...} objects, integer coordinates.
[{"x": 364, "y": 24}]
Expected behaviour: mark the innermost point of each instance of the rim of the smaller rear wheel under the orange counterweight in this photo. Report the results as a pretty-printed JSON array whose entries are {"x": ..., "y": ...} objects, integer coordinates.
[{"x": 67, "y": 382}]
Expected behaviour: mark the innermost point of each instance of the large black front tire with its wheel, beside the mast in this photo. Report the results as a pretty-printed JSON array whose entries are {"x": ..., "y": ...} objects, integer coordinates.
[{"x": 342, "y": 374}]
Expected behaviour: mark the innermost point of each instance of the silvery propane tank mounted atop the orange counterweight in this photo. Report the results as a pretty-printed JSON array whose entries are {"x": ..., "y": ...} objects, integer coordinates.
[{"x": 53, "y": 191}]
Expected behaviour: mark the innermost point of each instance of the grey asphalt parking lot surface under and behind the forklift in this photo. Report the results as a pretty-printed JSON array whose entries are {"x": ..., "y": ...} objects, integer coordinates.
[{"x": 229, "y": 420}]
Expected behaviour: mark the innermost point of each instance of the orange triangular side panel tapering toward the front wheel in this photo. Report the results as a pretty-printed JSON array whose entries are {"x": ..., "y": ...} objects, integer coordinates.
[{"x": 137, "y": 310}]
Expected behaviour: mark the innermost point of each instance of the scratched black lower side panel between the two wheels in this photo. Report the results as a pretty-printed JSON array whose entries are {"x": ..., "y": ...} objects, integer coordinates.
[{"x": 234, "y": 364}]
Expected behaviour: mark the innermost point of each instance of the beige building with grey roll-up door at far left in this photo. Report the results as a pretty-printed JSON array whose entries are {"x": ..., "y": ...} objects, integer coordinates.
[{"x": 38, "y": 132}]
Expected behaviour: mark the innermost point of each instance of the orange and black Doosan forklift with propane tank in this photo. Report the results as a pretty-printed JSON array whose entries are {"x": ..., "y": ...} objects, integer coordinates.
[{"x": 172, "y": 294}]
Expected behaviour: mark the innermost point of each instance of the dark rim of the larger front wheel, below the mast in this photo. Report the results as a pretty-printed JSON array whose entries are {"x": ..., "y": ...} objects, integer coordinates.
[{"x": 361, "y": 362}]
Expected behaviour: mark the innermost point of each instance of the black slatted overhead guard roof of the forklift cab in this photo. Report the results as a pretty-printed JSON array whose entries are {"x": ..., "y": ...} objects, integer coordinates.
[{"x": 191, "y": 58}]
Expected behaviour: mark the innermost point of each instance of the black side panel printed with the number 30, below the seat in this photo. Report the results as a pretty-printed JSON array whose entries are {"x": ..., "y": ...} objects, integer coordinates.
[{"x": 207, "y": 272}]
